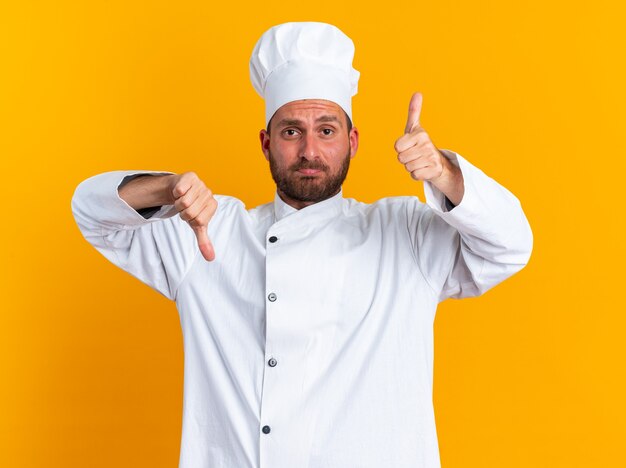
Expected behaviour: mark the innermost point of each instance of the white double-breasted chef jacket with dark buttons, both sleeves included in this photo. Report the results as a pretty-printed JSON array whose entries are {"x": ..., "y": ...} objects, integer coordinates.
[{"x": 308, "y": 341}]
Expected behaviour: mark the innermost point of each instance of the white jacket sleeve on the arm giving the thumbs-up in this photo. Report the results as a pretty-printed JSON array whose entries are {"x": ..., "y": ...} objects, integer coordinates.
[{"x": 467, "y": 249}]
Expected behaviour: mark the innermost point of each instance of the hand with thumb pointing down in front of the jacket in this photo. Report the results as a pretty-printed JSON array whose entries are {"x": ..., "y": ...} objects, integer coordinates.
[{"x": 195, "y": 204}]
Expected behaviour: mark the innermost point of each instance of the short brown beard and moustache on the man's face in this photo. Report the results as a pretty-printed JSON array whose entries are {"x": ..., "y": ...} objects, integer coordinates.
[{"x": 314, "y": 188}]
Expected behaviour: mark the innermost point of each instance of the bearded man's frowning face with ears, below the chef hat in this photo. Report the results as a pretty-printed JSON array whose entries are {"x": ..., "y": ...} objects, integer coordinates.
[{"x": 309, "y": 149}]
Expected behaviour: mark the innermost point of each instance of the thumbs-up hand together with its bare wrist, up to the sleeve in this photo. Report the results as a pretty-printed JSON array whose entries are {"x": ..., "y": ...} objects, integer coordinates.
[{"x": 423, "y": 160}]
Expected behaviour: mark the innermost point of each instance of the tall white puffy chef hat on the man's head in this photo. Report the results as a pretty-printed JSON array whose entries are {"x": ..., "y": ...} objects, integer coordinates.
[{"x": 306, "y": 60}]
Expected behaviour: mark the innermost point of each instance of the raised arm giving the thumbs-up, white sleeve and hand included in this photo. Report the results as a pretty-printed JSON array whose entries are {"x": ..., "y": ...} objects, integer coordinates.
[{"x": 479, "y": 235}]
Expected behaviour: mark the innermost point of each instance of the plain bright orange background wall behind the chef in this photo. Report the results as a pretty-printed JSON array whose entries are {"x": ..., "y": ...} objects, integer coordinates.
[{"x": 529, "y": 375}]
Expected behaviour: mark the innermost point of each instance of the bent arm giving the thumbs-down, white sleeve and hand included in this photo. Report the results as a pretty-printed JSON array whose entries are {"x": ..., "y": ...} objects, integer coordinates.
[{"x": 159, "y": 247}]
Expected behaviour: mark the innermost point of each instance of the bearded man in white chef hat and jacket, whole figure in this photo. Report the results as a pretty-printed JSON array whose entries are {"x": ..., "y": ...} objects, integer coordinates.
[{"x": 307, "y": 322}]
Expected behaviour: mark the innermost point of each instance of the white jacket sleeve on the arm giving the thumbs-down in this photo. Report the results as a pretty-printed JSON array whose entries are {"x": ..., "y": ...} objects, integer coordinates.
[{"x": 157, "y": 247}]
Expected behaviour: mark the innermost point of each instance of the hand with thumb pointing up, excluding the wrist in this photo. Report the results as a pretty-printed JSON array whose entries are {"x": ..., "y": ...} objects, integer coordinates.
[{"x": 415, "y": 149}]
